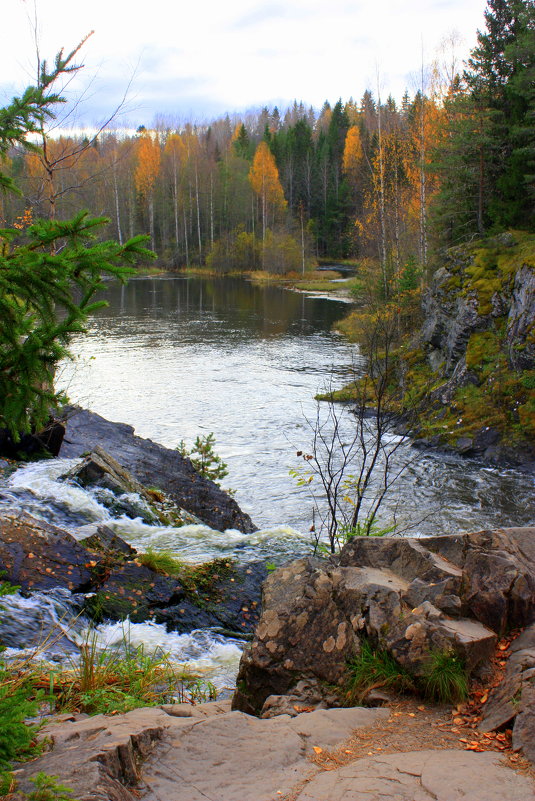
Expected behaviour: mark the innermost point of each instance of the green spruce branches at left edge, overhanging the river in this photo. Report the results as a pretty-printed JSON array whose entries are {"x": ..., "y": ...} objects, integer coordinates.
[{"x": 49, "y": 273}]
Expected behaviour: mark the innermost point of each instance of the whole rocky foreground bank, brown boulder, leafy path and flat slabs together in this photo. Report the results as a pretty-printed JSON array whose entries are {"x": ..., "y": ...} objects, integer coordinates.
[{"x": 403, "y": 749}]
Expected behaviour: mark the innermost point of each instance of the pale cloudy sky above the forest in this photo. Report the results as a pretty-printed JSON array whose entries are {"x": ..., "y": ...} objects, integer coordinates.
[{"x": 197, "y": 59}]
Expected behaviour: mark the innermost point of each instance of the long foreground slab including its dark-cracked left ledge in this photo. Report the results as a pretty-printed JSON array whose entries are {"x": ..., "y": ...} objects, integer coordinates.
[{"x": 174, "y": 754}]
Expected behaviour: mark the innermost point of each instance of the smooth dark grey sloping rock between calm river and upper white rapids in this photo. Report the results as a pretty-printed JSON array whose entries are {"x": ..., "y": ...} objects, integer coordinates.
[{"x": 153, "y": 466}]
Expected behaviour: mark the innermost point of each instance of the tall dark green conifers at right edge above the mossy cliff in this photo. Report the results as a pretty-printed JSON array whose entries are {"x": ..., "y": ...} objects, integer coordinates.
[{"x": 486, "y": 160}]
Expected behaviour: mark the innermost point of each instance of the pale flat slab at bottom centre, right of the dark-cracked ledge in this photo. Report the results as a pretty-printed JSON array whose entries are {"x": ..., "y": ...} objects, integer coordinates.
[{"x": 237, "y": 757}]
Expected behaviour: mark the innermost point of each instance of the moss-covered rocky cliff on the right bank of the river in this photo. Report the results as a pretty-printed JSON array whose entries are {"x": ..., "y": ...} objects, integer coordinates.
[{"x": 473, "y": 361}]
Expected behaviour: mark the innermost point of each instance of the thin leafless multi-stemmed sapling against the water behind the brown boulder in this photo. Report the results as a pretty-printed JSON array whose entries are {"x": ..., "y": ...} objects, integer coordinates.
[{"x": 357, "y": 454}]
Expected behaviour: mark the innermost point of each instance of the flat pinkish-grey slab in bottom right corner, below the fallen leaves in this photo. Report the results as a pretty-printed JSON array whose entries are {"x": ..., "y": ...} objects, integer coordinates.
[{"x": 449, "y": 775}]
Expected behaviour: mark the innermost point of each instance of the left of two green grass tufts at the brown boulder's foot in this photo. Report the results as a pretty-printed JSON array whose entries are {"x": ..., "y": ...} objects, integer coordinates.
[{"x": 375, "y": 668}]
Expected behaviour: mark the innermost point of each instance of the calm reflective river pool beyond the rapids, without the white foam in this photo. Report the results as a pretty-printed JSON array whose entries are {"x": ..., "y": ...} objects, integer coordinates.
[{"x": 176, "y": 357}]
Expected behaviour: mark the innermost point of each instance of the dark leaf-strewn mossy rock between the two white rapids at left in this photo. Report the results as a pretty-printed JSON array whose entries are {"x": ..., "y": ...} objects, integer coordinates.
[{"x": 37, "y": 556}]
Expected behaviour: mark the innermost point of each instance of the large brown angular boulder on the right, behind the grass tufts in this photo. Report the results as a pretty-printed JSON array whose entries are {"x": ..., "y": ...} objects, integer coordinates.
[{"x": 409, "y": 596}]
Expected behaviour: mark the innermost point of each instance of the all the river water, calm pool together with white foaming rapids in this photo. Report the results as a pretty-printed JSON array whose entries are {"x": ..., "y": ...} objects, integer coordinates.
[{"x": 176, "y": 357}]
